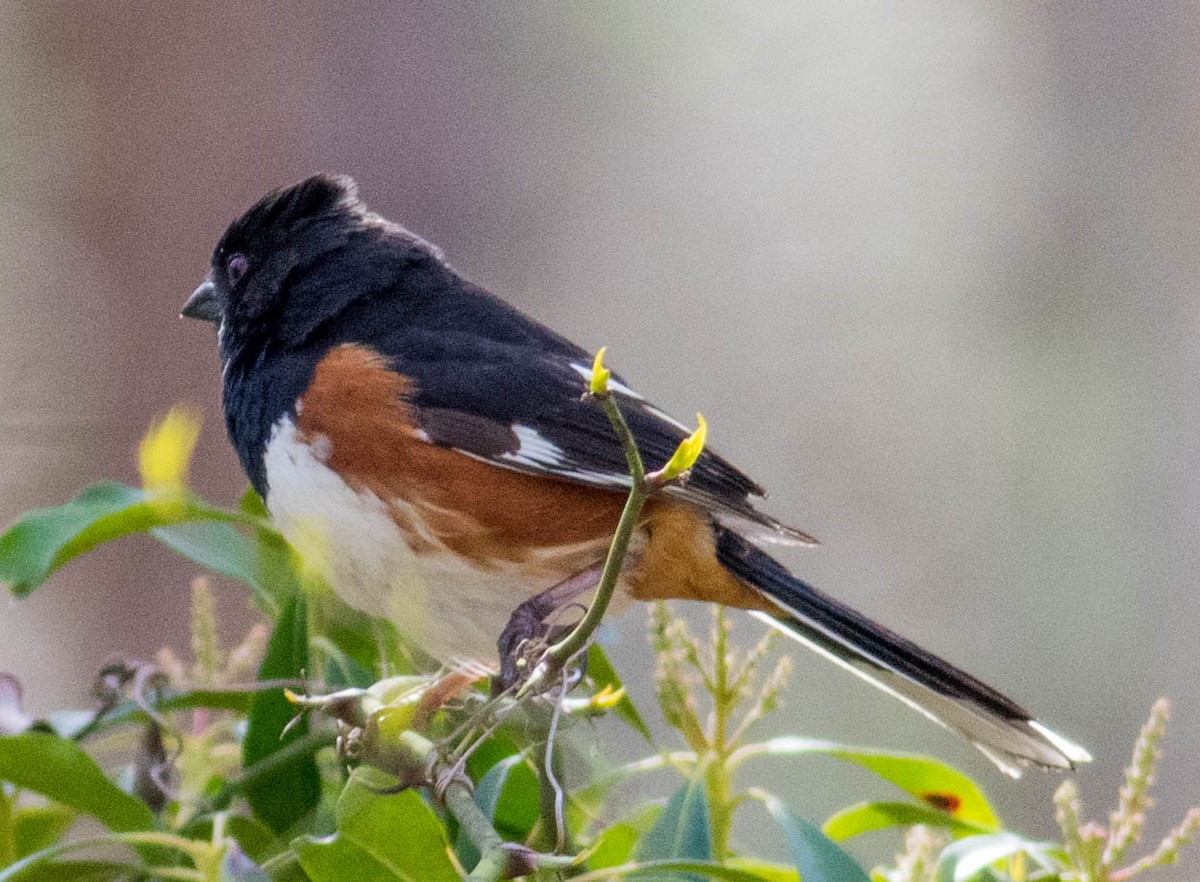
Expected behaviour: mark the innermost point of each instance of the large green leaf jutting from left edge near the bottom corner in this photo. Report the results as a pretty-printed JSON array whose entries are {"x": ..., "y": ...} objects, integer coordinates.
[{"x": 61, "y": 771}]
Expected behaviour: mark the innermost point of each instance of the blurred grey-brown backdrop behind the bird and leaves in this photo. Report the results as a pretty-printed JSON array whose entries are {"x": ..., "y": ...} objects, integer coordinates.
[{"x": 928, "y": 269}]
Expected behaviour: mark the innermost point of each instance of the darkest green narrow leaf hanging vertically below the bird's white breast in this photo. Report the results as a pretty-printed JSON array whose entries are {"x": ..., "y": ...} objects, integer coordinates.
[{"x": 291, "y": 791}]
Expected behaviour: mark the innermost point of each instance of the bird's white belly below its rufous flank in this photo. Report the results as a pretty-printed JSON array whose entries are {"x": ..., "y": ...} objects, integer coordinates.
[{"x": 443, "y": 603}]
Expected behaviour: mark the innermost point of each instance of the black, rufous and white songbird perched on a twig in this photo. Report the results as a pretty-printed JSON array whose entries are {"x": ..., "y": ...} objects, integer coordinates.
[{"x": 436, "y": 440}]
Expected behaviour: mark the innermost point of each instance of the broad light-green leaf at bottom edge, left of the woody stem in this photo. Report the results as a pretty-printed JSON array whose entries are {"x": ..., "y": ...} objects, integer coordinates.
[{"x": 380, "y": 839}]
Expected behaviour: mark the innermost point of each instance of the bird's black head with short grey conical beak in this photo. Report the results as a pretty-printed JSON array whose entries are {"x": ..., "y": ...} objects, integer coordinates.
[{"x": 293, "y": 261}]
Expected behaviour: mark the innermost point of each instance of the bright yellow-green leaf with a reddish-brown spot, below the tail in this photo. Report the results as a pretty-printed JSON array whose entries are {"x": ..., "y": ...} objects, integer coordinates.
[{"x": 929, "y": 781}]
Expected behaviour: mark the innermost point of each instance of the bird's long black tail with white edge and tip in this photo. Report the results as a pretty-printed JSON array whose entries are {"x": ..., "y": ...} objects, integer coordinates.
[{"x": 1003, "y": 730}]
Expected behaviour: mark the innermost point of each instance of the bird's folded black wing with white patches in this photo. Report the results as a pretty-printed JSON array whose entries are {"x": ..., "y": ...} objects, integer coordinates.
[{"x": 500, "y": 387}]
